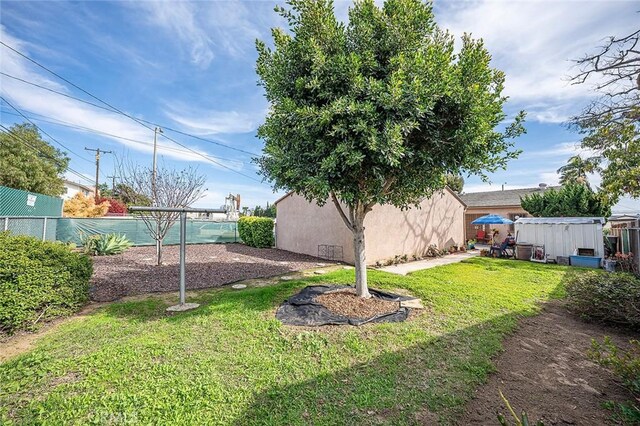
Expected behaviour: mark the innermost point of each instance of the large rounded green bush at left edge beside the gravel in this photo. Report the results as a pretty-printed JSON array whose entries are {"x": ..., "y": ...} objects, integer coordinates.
[{"x": 39, "y": 281}]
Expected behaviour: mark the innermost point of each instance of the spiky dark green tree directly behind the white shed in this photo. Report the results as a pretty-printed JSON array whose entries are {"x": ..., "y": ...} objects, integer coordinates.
[{"x": 572, "y": 200}]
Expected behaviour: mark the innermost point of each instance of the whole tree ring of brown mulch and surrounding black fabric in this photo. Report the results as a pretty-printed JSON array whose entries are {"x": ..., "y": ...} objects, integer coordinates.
[{"x": 339, "y": 305}]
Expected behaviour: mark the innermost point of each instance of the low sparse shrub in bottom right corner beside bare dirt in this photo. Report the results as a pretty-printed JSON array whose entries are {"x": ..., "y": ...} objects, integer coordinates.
[{"x": 625, "y": 365}]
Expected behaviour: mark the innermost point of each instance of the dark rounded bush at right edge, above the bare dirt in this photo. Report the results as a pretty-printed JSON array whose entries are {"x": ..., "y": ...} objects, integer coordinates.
[{"x": 611, "y": 297}]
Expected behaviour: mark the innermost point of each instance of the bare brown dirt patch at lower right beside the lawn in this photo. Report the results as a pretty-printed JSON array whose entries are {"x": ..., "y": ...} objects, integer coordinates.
[{"x": 545, "y": 371}]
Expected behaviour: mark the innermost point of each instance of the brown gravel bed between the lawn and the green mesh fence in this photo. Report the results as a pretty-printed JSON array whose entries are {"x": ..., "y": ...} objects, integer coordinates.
[{"x": 208, "y": 265}]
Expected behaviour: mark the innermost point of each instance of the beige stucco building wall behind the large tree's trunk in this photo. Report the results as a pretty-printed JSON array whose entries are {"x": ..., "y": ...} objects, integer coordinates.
[{"x": 389, "y": 231}]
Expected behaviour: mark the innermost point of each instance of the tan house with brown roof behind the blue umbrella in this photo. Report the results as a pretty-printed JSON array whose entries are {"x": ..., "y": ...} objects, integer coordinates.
[{"x": 505, "y": 203}]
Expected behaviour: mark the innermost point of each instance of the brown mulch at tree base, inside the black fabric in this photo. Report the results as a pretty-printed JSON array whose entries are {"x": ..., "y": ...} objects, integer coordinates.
[{"x": 347, "y": 303}]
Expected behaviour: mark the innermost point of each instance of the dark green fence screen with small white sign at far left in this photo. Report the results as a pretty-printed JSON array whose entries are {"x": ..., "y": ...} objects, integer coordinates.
[{"x": 14, "y": 202}]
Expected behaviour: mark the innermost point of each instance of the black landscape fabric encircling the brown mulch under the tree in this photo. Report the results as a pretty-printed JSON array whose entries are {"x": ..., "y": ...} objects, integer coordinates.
[{"x": 302, "y": 309}]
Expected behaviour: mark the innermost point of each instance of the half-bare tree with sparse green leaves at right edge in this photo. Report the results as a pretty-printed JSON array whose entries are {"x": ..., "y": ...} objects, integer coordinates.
[{"x": 611, "y": 123}]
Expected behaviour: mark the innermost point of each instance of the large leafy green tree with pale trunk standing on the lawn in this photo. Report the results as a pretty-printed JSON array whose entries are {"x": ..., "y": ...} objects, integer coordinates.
[{"x": 376, "y": 111}]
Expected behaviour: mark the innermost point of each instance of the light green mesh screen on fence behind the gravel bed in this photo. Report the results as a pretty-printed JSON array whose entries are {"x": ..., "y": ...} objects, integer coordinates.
[{"x": 198, "y": 231}]
